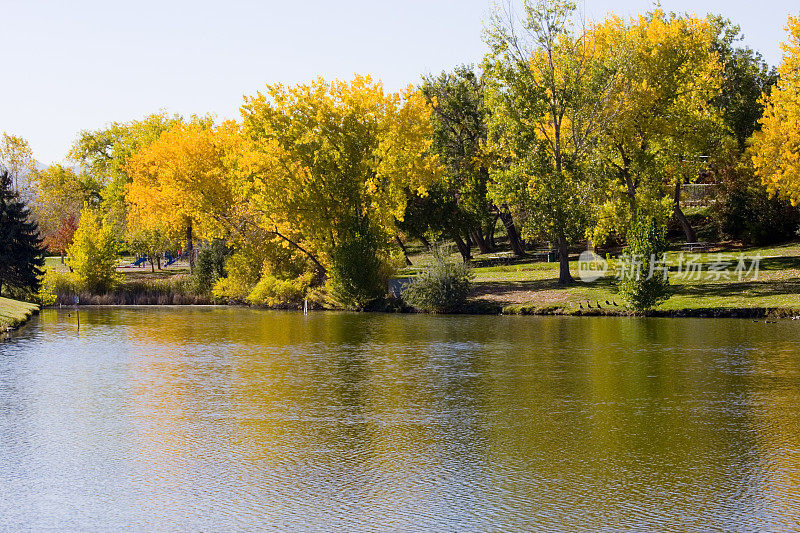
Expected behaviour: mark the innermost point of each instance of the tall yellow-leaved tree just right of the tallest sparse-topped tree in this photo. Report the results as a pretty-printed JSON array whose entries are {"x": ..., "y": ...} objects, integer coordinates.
[{"x": 671, "y": 75}]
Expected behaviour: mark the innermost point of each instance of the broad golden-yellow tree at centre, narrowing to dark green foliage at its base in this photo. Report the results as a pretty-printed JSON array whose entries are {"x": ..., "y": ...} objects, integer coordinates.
[{"x": 327, "y": 169}]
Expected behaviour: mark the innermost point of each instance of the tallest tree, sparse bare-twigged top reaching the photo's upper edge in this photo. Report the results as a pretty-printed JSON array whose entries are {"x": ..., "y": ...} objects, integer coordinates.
[{"x": 550, "y": 95}]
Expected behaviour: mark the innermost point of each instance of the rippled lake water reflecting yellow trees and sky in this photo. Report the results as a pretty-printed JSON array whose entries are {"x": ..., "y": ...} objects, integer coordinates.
[{"x": 217, "y": 419}]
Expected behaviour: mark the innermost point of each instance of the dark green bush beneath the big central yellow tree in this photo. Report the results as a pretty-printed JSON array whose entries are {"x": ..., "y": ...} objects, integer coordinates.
[{"x": 357, "y": 275}]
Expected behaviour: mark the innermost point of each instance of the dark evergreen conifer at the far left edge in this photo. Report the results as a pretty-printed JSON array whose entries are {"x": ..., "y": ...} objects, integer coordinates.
[{"x": 21, "y": 251}]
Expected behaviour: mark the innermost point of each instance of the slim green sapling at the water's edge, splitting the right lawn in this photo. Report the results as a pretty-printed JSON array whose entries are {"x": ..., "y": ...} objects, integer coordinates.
[{"x": 644, "y": 286}]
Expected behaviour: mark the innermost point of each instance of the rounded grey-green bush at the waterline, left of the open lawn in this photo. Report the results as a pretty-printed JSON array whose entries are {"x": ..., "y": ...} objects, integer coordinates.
[{"x": 442, "y": 287}]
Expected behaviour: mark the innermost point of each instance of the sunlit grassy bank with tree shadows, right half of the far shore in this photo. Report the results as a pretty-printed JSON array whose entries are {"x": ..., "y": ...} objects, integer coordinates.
[{"x": 505, "y": 284}]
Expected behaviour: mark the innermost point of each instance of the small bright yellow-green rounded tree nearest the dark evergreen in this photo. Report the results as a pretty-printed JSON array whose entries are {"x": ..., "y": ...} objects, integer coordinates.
[{"x": 93, "y": 254}]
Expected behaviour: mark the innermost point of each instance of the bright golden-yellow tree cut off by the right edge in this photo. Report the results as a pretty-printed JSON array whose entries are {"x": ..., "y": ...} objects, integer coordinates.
[{"x": 776, "y": 147}]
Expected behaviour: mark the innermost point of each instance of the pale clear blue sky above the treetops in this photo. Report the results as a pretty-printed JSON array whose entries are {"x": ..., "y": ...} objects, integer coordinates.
[{"x": 74, "y": 65}]
